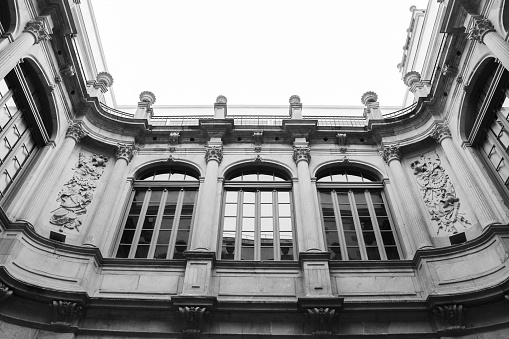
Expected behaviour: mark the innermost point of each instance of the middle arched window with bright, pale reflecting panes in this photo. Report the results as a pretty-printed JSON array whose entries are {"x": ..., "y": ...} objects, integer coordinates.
[{"x": 257, "y": 216}]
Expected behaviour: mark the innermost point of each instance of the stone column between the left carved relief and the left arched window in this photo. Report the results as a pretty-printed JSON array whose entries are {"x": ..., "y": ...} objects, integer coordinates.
[{"x": 103, "y": 215}]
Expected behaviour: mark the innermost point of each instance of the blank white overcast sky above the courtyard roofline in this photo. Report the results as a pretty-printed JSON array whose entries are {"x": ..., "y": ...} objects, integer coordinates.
[{"x": 255, "y": 52}]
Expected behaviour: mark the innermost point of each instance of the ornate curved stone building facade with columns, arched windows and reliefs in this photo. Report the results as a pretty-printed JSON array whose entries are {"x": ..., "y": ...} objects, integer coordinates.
[{"x": 135, "y": 224}]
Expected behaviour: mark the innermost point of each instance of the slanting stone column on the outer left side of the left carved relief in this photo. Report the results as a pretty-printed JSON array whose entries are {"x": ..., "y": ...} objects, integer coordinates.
[{"x": 37, "y": 200}]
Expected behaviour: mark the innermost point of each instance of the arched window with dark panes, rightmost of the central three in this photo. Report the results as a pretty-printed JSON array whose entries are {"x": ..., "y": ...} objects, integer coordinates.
[{"x": 356, "y": 221}]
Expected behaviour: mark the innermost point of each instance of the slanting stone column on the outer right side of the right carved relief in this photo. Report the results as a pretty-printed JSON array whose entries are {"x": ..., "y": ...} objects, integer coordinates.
[{"x": 482, "y": 210}]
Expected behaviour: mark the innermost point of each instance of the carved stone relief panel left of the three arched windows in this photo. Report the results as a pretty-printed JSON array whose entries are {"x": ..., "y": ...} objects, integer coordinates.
[{"x": 78, "y": 192}]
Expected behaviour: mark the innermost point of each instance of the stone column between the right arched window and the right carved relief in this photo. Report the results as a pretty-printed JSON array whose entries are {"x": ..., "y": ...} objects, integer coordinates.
[{"x": 412, "y": 216}]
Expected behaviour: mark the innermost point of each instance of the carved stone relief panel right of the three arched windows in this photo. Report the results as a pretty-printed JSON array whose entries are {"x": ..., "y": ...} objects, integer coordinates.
[{"x": 439, "y": 194}]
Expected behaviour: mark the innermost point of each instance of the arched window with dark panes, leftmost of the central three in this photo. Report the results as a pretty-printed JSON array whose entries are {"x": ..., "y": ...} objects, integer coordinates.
[{"x": 158, "y": 222}]
